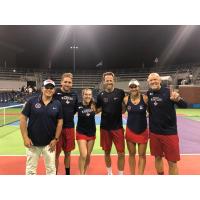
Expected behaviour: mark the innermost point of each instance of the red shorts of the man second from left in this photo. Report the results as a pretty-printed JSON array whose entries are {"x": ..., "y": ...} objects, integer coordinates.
[{"x": 66, "y": 141}]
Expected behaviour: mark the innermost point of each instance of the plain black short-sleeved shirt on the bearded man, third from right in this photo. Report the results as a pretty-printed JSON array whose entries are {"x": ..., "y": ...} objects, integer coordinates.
[{"x": 111, "y": 104}]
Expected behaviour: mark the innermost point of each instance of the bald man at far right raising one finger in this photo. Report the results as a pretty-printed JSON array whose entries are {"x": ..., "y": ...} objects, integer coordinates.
[{"x": 164, "y": 139}]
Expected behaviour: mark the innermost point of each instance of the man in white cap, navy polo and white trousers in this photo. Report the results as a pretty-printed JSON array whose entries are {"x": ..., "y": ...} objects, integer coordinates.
[{"x": 44, "y": 115}]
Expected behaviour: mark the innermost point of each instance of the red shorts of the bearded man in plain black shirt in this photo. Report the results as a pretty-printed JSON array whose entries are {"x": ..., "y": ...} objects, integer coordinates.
[{"x": 116, "y": 136}]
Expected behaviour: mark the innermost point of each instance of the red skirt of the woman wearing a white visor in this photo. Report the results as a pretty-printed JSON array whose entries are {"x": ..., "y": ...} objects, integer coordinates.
[{"x": 141, "y": 138}]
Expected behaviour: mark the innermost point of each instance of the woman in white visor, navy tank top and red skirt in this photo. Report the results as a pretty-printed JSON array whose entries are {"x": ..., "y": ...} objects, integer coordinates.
[{"x": 136, "y": 129}]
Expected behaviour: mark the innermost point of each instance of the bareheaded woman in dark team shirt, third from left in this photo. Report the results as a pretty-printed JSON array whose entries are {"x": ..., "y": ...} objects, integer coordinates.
[{"x": 86, "y": 129}]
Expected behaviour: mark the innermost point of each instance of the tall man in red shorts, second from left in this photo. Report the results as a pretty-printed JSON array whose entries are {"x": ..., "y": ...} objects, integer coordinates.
[{"x": 69, "y": 102}]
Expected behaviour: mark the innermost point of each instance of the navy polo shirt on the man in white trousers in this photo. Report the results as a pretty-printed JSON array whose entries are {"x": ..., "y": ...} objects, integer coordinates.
[{"x": 43, "y": 120}]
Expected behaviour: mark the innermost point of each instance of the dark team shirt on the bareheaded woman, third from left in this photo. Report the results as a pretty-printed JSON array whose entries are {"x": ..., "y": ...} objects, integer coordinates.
[{"x": 86, "y": 120}]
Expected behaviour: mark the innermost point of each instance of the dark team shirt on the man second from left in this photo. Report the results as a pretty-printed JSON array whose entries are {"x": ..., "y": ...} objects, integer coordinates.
[{"x": 69, "y": 102}]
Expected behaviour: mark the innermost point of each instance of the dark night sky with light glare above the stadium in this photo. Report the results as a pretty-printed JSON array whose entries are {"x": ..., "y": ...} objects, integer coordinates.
[{"x": 118, "y": 46}]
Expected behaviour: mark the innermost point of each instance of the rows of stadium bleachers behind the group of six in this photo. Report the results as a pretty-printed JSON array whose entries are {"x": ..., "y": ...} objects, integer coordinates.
[{"x": 91, "y": 78}]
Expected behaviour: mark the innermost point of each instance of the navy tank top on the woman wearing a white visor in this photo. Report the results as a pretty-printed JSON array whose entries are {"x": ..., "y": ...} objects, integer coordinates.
[{"x": 137, "y": 121}]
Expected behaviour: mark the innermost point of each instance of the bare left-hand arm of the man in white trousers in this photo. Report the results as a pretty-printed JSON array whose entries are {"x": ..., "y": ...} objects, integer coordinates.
[{"x": 23, "y": 127}]
